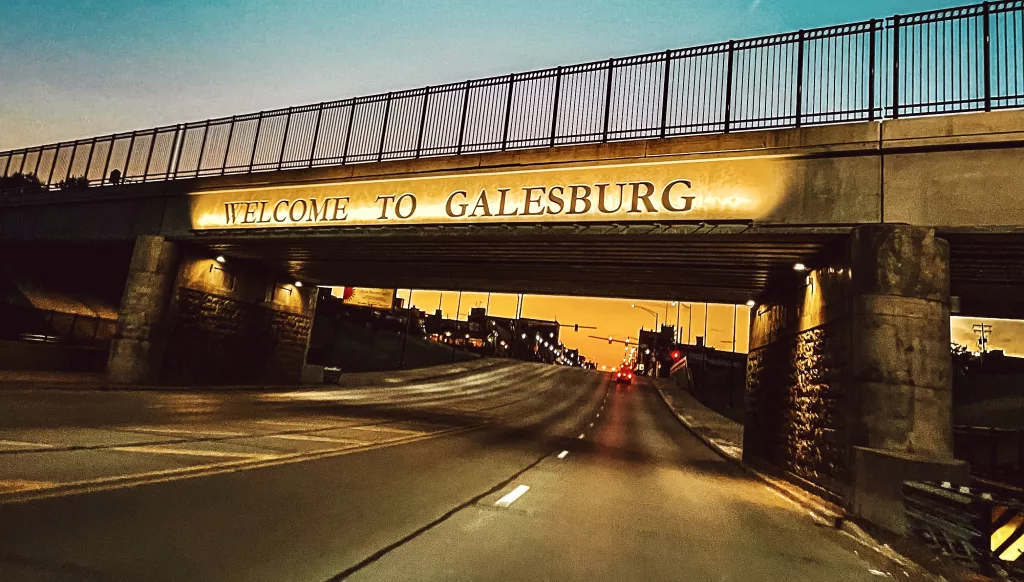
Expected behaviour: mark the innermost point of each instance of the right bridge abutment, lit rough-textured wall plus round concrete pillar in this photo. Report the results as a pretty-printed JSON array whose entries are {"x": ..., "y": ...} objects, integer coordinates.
[{"x": 849, "y": 376}]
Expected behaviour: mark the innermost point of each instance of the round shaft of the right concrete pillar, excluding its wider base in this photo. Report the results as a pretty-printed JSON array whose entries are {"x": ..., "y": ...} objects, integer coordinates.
[{"x": 902, "y": 366}]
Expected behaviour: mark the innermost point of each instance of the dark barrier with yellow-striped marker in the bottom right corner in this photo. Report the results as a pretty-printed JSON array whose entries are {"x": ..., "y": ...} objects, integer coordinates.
[{"x": 980, "y": 527}]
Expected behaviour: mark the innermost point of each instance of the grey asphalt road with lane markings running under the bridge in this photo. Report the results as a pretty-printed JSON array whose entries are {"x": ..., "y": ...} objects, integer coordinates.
[{"x": 395, "y": 481}]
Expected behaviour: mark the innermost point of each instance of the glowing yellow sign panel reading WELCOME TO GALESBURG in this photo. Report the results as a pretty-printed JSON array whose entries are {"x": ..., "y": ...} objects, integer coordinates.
[{"x": 722, "y": 190}]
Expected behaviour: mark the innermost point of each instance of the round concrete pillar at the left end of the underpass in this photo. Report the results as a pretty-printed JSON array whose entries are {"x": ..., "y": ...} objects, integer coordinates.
[{"x": 138, "y": 348}]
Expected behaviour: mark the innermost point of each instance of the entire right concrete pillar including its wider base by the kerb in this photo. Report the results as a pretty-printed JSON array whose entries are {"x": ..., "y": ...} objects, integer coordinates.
[{"x": 902, "y": 370}]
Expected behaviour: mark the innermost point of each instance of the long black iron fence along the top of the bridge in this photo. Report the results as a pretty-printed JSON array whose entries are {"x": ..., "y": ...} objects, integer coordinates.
[{"x": 956, "y": 60}]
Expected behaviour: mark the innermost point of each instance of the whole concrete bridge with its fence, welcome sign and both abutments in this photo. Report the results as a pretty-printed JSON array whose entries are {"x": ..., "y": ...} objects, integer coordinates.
[{"x": 696, "y": 175}]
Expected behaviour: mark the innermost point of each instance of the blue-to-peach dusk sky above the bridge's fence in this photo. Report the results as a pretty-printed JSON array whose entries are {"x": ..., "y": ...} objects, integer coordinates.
[{"x": 79, "y": 69}]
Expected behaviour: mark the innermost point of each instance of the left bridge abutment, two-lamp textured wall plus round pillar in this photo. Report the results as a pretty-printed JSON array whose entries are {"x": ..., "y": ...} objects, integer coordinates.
[{"x": 189, "y": 320}]
